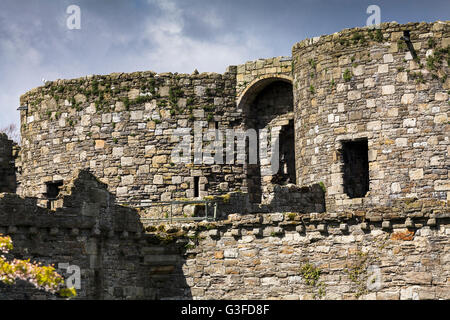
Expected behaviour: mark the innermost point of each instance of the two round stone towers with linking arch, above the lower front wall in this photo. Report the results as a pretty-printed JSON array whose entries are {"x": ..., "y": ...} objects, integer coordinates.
[{"x": 354, "y": 85}]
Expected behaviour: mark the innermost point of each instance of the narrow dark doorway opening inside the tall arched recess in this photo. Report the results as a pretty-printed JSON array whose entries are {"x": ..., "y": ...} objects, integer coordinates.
[{"x": 286, "y": 173}]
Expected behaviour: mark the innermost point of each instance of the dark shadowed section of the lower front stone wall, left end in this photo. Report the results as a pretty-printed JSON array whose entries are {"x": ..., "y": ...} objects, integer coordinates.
[{"x": 117, "y": 259}]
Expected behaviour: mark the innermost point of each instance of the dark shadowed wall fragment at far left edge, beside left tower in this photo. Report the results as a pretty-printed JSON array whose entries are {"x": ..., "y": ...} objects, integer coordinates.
[{"x": 8, "y": 152}]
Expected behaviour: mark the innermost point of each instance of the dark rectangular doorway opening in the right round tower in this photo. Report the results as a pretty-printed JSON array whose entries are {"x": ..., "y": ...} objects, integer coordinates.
[{"x": 356, "y": 167}]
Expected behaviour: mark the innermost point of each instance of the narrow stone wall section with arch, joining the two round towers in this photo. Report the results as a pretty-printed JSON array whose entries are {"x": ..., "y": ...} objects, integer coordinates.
[{"x": 264, "y": 96}]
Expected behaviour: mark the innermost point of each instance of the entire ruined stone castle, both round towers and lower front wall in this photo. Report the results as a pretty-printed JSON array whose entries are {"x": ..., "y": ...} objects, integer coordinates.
[{"x": 361, "y": 118}]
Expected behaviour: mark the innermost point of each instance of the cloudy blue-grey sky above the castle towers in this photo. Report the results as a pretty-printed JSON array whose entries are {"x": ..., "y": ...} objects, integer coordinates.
[{"x": 168, "y": 35}]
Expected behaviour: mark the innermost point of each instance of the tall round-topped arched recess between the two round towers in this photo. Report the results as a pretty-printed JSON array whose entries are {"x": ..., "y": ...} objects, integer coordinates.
[{"x": 267, "y": 103}]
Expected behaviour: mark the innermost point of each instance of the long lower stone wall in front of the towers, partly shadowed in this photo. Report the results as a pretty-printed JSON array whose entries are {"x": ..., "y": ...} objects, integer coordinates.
[{"x": 253, "y": 256}]
